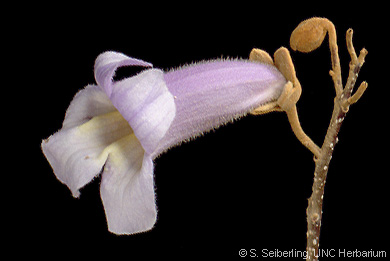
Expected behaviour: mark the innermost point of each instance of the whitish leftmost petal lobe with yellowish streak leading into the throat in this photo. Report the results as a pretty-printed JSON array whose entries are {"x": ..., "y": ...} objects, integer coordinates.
[{"x": 77, "y": 154}]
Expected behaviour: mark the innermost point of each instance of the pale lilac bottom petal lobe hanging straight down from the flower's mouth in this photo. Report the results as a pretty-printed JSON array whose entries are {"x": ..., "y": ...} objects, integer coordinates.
[{"x": 127, "y": 188}]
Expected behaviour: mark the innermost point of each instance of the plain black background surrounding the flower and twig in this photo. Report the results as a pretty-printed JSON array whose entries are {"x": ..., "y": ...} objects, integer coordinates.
[{"x": 243, "y": 186}]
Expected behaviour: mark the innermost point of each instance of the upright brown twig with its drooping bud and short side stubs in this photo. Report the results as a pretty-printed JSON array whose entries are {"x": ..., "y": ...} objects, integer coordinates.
[{"x": 309, "y": 31}]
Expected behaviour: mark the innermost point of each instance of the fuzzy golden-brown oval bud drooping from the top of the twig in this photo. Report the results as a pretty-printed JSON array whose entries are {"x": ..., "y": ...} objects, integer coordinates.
[{"x": 309, "y": 34}]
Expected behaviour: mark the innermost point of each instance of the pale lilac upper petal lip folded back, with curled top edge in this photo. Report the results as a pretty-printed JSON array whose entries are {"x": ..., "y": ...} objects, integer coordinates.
[{"x": 143, "y": 100}]
